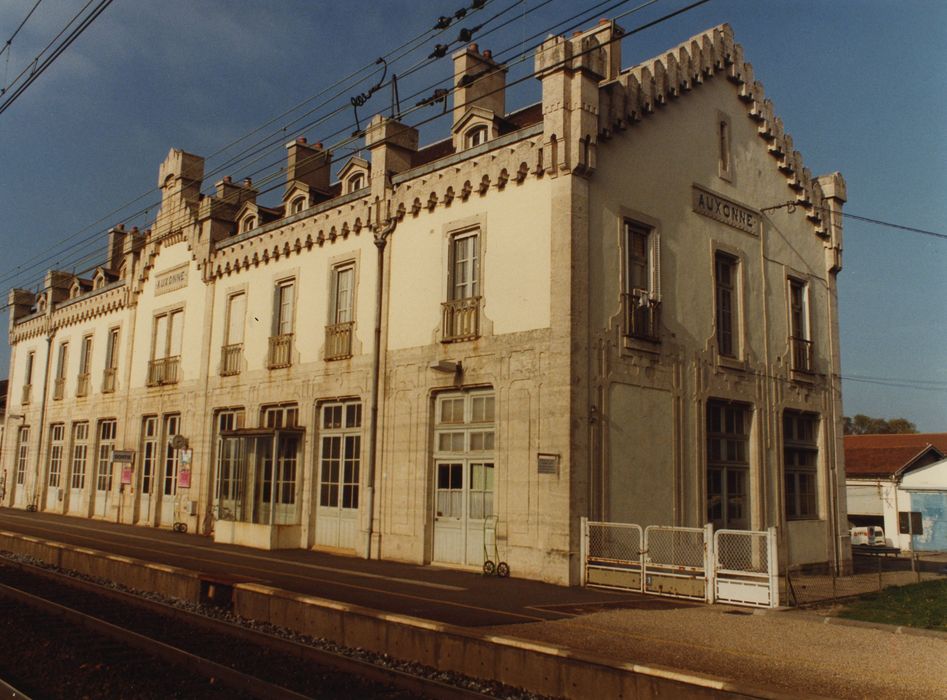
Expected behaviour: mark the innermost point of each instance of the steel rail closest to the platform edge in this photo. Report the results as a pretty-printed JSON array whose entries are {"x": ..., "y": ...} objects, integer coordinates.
[{"x": 333, "y": 660}]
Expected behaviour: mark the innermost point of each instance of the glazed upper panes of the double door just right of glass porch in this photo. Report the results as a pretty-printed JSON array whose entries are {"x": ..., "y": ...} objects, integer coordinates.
[{"x": 340, "y": 460}]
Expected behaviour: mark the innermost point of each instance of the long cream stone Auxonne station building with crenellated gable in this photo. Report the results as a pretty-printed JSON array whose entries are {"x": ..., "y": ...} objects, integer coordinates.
[{"x": 618, "y": 304}]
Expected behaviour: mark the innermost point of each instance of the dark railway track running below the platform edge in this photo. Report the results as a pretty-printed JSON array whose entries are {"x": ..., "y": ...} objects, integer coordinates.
[{"x": 130, "y": 637}]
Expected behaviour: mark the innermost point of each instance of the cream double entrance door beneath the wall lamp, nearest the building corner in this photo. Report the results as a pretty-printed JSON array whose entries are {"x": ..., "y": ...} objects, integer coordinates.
[{"x": 464, "y": 481}]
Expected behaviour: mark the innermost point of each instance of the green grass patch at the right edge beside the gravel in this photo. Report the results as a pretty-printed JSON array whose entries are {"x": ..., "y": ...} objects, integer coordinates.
[{"x": 922, "y": 605}]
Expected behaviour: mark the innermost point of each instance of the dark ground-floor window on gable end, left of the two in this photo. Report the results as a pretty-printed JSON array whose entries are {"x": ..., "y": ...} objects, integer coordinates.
[{"x": 728, "y": 465}]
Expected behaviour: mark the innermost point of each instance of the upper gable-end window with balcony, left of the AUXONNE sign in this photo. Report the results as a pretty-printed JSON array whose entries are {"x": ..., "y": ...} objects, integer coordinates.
[{"x": 640, "y": 302}]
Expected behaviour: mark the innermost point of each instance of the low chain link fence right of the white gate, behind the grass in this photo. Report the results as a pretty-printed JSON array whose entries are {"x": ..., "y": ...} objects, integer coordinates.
[{"x": 871, "y": 573}]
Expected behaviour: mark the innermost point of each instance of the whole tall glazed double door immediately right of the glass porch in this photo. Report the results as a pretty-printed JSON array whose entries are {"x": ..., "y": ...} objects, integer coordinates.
[{"x": 339, "y": 475}]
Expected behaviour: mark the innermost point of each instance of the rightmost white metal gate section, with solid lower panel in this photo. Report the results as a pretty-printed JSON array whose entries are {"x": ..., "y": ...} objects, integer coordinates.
[{"x": 745, "y": 568}]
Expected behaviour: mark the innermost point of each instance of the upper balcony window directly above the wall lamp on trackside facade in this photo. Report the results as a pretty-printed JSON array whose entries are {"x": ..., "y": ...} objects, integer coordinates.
[{"x": 461, "y": 311}]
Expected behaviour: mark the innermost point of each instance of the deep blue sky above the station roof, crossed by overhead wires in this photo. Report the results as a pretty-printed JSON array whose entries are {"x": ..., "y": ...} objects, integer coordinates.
[{"x": 859, "y": 86}]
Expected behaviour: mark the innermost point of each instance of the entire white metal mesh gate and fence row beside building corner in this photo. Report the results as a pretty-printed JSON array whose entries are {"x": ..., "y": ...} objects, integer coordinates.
[{"x": 729, "y": 566}]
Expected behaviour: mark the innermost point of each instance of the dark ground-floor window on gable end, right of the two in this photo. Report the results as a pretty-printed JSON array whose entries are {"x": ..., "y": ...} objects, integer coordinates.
[{"x": 800, "y": 464}]
